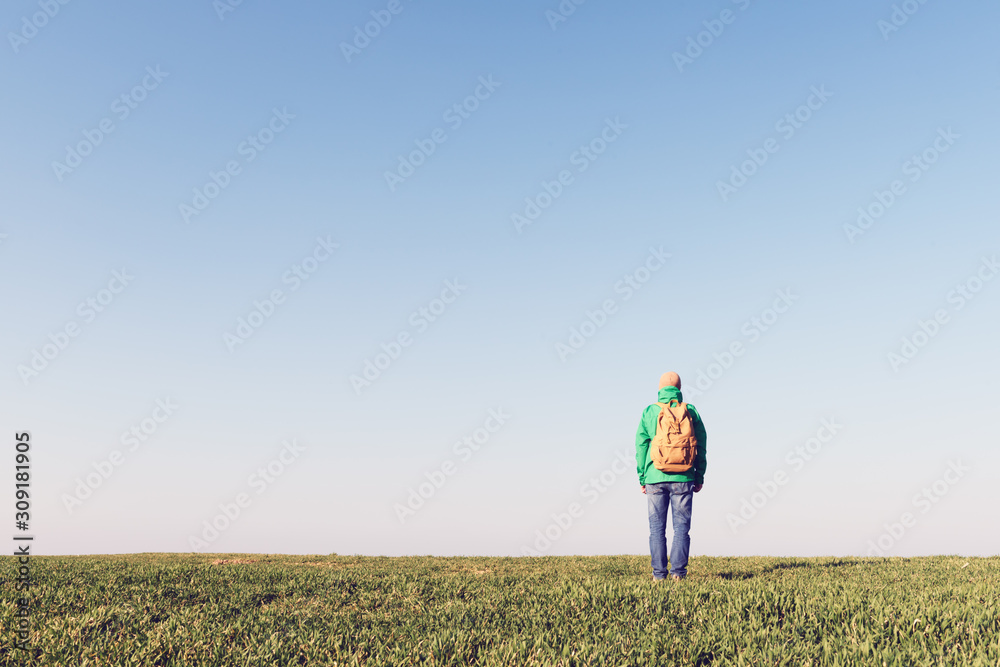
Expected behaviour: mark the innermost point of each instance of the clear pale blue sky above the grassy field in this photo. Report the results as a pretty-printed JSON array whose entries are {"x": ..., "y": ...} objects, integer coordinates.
[{"x": 427, "y": 260}]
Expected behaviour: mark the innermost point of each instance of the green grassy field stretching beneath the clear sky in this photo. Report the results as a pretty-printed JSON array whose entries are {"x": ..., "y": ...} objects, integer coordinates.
[{"x": 247, "y": 609}]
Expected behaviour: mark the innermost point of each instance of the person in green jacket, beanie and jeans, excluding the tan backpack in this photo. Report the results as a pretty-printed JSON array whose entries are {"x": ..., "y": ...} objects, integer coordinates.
[{"x": 669, "y": 489}]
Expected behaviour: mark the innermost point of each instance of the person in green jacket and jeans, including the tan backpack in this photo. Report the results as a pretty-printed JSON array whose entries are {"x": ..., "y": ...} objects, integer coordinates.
[{"x": 671, "y": 462}]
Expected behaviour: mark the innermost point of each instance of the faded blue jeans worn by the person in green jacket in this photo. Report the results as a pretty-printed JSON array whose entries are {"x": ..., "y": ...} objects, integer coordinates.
[{"x": 677, "y": 497}]
